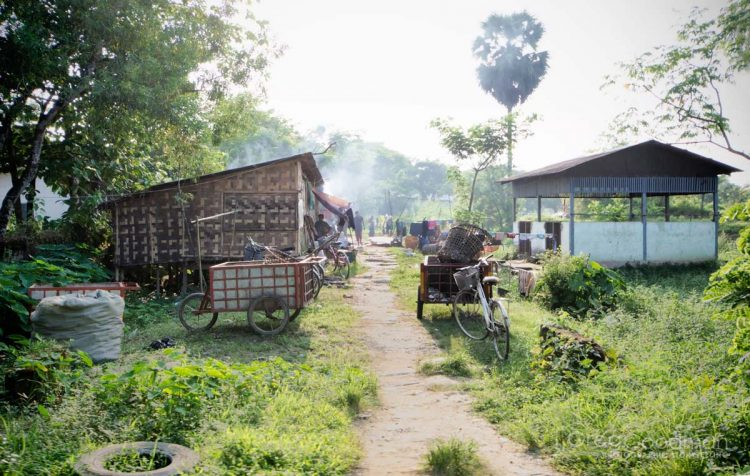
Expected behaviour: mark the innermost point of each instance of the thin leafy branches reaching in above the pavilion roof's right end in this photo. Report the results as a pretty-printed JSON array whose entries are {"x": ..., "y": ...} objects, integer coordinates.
[{"x": 685, "y": 80}]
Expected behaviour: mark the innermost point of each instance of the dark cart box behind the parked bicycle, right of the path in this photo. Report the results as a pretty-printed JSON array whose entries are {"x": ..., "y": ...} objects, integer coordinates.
[{"x": 436, "y": 283}]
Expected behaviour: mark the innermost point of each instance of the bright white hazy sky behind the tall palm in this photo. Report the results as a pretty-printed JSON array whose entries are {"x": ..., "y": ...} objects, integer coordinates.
[{"x": 384, "y": 69}]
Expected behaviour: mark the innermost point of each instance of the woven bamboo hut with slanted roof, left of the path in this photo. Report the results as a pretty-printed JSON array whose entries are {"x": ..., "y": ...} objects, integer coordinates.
[{"x": 215, "y": 214}]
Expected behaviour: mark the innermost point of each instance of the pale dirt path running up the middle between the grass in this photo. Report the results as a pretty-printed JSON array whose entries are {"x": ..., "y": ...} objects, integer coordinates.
[{"x": 416, "y": 409}]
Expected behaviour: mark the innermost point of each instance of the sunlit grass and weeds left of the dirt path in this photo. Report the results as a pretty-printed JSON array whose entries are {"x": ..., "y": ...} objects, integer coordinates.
[{"x": 246, "y": 404}]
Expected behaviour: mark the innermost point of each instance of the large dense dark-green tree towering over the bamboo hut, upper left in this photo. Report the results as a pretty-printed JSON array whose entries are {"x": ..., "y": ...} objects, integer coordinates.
[{"x": 89, "y": 77}]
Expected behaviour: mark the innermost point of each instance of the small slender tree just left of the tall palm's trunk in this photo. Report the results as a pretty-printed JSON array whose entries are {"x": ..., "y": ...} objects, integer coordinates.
[{"x": 481, "y": 145}]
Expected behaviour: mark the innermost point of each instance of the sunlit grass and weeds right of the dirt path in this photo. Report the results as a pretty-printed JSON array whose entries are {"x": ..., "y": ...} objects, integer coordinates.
[{"x": 666, "y": 408}]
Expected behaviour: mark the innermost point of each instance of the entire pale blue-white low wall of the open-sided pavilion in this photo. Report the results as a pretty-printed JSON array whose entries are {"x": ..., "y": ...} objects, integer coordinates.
[{"x": 618, "y": 243}]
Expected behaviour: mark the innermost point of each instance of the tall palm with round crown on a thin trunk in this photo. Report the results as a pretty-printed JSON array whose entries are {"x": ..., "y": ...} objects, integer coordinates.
[{"x": 510, "y": 66}]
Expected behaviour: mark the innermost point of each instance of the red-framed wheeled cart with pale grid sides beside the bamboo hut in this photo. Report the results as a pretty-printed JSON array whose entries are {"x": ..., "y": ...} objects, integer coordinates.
[{"x": 272, "y": 294}]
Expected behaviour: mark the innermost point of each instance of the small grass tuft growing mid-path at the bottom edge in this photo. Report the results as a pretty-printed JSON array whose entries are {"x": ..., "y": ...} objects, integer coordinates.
[{"x": 453, "y": 457}]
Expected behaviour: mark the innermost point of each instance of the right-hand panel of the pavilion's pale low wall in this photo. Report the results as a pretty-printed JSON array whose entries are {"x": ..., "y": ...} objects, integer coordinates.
[{"x": 680, "y": 242}]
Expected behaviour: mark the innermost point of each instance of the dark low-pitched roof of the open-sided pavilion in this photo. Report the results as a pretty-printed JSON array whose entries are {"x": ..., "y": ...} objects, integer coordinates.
[{"x": 632, "y": 160}]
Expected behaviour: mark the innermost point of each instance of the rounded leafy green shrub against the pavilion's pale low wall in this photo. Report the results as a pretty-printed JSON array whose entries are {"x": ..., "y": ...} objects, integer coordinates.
[{"x": 578, "y": 286}]
